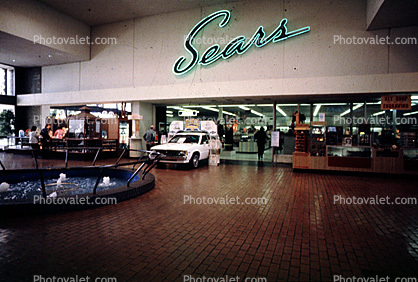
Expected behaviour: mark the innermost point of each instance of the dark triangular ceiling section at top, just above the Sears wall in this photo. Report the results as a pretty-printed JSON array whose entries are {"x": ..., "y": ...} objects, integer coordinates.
[{"x": 98, "y": 12}]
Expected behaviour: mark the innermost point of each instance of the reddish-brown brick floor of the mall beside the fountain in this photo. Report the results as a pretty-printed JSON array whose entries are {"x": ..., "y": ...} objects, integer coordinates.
[{"x": 298, "y": 235}]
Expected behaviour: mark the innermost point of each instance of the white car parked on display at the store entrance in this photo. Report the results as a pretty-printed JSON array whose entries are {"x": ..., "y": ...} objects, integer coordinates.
[{"x": 185, "y": 147}]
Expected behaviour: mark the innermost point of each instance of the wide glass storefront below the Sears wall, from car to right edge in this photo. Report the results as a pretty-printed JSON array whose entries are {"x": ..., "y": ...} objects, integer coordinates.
[{"x": 356, "y": 123}]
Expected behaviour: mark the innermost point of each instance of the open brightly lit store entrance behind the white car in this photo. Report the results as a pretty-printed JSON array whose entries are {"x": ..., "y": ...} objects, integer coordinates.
[{"x": 239, "y": 127}]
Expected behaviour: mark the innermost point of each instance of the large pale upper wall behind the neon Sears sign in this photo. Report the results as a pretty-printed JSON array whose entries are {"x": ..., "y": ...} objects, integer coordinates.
[{"x": 139, "y": 67}]
